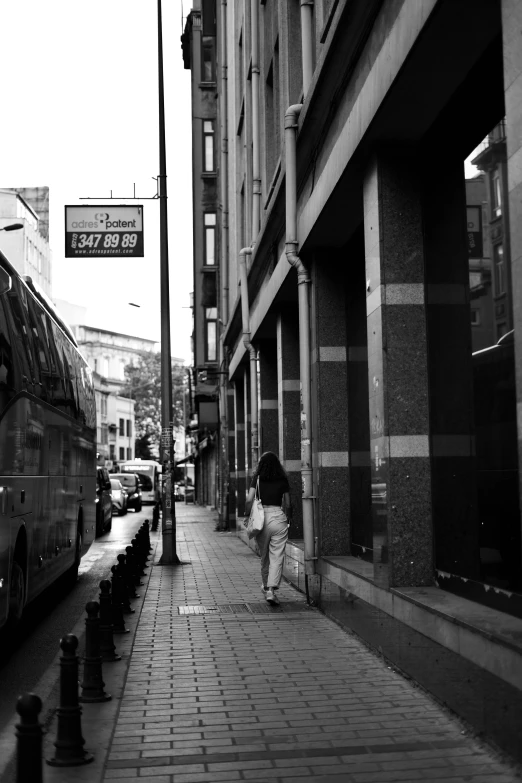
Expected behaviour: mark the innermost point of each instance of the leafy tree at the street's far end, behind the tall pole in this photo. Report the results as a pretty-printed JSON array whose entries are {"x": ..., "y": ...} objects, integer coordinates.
[{"x": 143, "y": 384}]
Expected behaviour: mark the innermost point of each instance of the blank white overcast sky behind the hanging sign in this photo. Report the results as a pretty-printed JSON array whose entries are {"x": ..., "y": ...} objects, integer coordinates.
[{"x": 79, "y": 105}]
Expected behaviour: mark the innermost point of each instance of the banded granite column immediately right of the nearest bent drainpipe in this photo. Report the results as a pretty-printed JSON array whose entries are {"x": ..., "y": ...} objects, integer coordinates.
[{"x": 330, "y": 404}]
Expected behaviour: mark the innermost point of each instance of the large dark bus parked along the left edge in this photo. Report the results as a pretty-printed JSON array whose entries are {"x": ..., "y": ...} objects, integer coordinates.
[{"x": 47, "y": 446}]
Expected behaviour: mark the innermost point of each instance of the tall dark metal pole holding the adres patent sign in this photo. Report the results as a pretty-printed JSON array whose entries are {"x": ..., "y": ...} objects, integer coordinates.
[{"x": 168, "y": 525}]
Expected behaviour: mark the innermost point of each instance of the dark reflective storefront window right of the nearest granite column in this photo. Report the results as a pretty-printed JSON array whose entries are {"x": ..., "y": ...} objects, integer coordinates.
[{"x": 495, "y": 462}]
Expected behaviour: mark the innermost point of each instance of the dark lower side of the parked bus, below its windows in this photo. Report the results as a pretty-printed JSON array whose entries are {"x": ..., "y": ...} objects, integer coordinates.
[{"x": 42, "y": 474}]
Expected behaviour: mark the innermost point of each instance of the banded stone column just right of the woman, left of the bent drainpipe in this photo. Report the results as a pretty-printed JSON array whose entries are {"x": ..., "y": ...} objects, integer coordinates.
[{"x": 289, "y": 409}]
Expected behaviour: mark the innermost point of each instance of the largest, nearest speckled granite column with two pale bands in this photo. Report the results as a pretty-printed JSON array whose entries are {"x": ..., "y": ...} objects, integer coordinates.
[{"x": 397, "y": 372}]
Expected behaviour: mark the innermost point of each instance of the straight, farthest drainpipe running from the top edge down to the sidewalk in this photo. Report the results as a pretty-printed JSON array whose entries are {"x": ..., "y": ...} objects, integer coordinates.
[{"x": 223, "y": 397}]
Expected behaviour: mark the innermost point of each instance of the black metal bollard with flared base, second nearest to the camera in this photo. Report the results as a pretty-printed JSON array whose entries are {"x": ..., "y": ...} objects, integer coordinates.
[{"x": 69, "y": 741}]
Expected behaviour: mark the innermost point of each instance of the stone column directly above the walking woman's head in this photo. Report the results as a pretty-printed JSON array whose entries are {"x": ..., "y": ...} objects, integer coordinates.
[{"x": 268, "y": 409}]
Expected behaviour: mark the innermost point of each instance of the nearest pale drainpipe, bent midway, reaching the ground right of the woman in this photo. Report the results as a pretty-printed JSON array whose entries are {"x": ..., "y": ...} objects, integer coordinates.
[{"x": 303, "y": 281}]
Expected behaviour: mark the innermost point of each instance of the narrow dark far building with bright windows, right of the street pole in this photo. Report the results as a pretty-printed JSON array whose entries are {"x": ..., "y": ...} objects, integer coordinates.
[{"x": 199, "y": 47}]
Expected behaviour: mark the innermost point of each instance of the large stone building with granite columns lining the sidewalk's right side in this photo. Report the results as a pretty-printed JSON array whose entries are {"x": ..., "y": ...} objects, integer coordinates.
[{"x": 348, "y": 346}]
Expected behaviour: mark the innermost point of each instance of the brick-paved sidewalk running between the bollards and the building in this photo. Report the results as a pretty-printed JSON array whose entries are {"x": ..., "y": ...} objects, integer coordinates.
[{"x": 243, "y": 691}]
